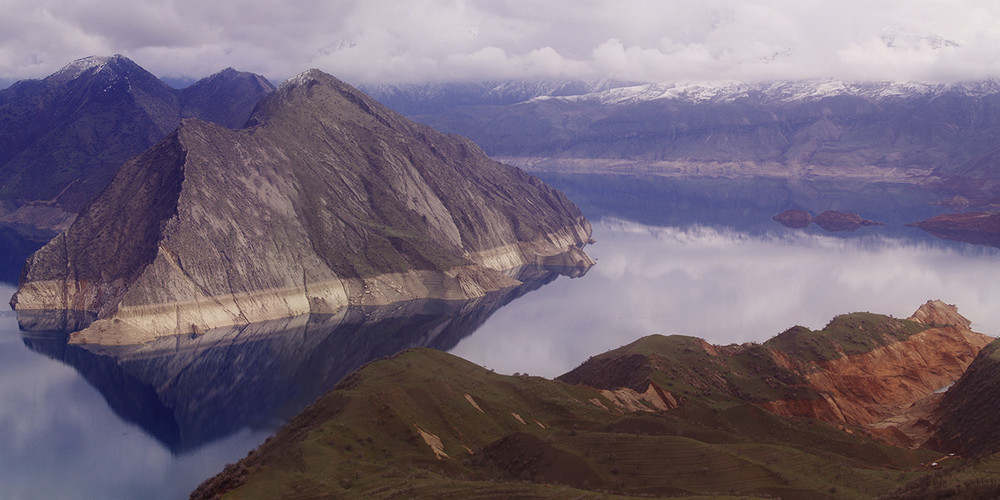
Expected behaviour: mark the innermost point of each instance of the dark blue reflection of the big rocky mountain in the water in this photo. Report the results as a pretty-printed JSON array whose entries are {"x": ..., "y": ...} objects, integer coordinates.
[{"x": 189, "y": 390}]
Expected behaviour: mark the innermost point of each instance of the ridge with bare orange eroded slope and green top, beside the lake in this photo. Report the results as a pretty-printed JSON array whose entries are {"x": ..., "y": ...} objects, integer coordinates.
[{"x": 863, "y": 370}]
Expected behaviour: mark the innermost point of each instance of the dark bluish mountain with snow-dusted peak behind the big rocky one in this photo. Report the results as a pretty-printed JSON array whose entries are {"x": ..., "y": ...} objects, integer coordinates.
[{"x": 62, "y": 138}]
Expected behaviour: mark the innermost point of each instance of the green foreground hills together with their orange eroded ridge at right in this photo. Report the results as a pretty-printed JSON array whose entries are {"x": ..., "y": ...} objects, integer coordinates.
[{"x": 664, "y": 416}]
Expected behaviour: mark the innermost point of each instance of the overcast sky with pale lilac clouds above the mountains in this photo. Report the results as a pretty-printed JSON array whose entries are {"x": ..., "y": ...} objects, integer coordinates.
[{"x": 437, "y": 40}]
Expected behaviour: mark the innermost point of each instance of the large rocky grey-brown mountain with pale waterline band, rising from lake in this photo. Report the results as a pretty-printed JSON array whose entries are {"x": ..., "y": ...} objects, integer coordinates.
[{"x": 328, "y": 200}]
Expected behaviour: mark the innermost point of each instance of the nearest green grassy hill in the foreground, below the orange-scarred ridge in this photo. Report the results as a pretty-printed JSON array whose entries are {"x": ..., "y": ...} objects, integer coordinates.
[{"x": 364, "y": 439}]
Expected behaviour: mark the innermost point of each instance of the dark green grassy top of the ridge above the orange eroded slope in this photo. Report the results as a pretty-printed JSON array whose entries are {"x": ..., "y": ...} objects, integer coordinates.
[{"x": 722, "y": 376}]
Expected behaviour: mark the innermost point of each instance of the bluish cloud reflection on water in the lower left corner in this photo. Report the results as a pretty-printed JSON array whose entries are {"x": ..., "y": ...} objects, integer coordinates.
[{"x": 61, "y": 440}]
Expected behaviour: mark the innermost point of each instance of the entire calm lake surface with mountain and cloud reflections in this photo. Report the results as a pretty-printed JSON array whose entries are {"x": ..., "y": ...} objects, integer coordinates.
[{"x": 697, "y": 258}]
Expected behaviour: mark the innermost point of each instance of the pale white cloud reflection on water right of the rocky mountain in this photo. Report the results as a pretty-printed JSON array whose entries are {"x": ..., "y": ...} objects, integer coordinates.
[{"x": 727, "y": 286}]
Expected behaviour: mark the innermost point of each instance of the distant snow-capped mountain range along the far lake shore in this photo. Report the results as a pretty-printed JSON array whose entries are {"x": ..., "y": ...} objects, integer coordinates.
[{"x": 900, "y": 132}]
